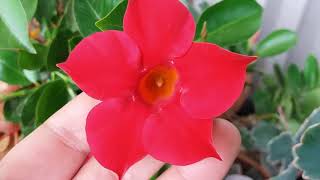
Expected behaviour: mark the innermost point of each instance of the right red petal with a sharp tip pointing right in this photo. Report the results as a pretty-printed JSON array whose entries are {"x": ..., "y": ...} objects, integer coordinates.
[{"x": 212, "y": 78}]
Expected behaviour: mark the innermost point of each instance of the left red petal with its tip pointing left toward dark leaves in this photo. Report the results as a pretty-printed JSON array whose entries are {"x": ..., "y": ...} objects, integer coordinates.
[{"x": 104, "y": 64}]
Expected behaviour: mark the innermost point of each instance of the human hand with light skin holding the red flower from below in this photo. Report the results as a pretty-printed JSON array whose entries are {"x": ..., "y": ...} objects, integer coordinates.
[{"x": 58, "y": 150}]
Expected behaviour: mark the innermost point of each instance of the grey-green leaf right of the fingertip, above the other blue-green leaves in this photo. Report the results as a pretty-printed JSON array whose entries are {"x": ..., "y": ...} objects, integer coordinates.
[{"x": 262, "y": 133}]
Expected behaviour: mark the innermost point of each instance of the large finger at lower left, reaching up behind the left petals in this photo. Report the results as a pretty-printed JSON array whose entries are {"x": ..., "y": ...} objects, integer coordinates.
[{"x": 55, "y": 150}]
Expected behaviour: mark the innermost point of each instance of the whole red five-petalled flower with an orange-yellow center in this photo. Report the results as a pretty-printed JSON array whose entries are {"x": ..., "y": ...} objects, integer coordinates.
[{"x": 159, "y": 90}]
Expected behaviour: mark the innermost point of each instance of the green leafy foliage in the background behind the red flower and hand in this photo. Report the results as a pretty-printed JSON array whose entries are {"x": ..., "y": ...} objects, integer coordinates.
[{"x": 276, "y": 114}]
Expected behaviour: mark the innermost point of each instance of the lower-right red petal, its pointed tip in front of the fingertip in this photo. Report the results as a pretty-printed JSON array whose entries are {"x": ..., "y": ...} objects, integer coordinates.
[{"x": 173, "y": 137}]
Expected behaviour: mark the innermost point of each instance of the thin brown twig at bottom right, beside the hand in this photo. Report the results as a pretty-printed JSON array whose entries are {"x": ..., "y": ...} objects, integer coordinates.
[{"x": 246, "y": 159}]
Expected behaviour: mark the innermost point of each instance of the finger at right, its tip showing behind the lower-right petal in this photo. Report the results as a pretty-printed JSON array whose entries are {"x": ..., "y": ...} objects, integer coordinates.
[{"x": 227, "y": 142}]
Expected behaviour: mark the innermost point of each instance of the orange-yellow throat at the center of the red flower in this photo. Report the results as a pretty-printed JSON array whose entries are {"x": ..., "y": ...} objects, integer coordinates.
[{"x": 158, "y": 84}]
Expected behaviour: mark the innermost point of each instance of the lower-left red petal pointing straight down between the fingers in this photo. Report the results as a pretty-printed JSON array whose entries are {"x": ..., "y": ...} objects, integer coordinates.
[{"x": 114, "y": 129}]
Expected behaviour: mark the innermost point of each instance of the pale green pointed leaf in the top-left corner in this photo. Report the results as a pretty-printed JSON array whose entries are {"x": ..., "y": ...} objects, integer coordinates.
[{"x": 14, "y": 26}]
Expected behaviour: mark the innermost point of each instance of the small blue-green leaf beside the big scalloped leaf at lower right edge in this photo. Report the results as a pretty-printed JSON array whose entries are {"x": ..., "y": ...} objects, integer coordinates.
[{"x": 279, "y": 148}]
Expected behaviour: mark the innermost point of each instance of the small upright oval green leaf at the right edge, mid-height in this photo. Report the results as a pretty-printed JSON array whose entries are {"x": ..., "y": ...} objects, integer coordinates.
[{"x": 311, "y": 71}]
